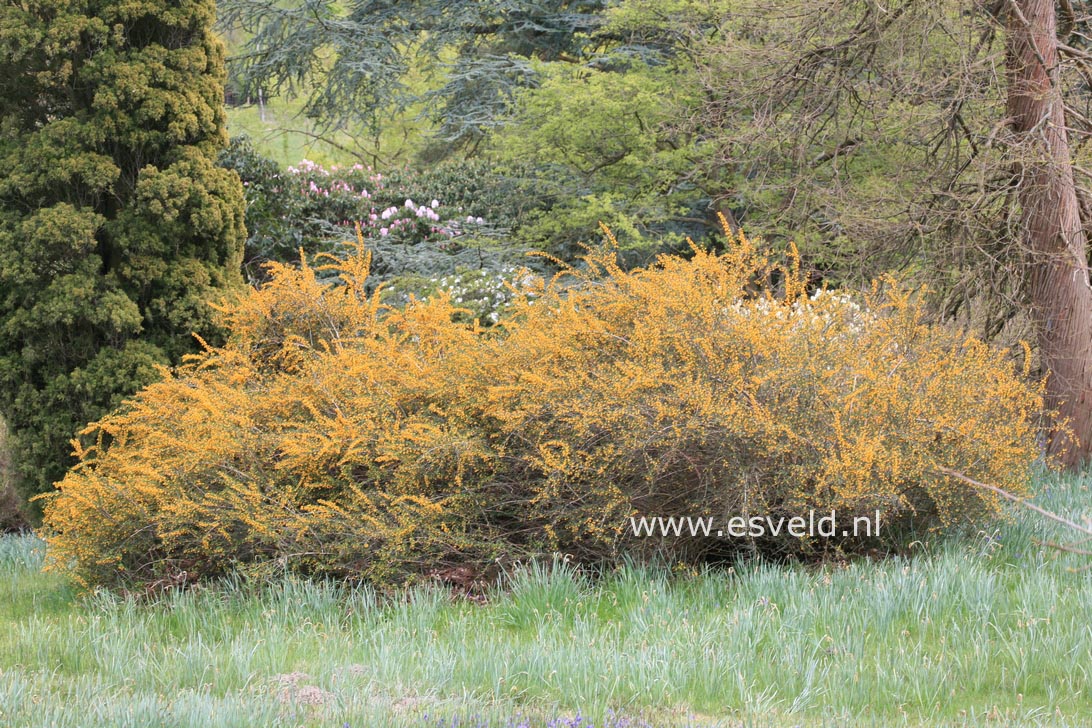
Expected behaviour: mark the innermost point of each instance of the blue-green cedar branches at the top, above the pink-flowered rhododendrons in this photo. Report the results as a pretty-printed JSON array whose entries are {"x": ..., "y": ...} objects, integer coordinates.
[{"x": 353, "y": 58}]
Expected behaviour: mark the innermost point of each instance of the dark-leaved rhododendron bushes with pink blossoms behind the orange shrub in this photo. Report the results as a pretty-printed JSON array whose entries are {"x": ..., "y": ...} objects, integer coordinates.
[{"x": 424, "y": 223}]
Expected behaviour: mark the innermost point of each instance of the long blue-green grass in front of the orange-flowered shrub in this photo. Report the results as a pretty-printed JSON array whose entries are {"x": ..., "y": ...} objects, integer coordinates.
[{"x": 971, "y": 631}]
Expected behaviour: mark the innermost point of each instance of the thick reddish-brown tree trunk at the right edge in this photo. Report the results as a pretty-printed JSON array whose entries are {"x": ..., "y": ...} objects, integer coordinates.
[{"x": 1059, "y": 284}]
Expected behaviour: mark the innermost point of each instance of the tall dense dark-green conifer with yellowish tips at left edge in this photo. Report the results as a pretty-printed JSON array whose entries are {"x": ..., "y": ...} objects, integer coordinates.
[{"x": 116, "y": 226}]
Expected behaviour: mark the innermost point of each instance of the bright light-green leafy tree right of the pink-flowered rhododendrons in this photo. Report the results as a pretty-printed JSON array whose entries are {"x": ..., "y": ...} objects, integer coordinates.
[{"x": 602, "y": 145}]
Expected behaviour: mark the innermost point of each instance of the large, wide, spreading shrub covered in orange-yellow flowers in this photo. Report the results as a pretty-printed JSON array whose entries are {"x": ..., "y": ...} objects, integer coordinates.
[{"x": 334, "y": 435}]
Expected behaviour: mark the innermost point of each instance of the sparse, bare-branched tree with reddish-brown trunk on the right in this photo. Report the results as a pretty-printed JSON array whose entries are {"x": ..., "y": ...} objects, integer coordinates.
[{"x": 943, "y": 138}]
